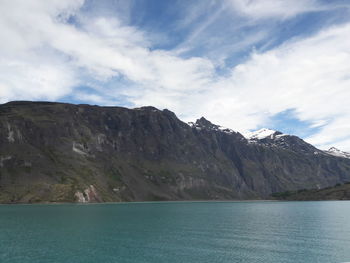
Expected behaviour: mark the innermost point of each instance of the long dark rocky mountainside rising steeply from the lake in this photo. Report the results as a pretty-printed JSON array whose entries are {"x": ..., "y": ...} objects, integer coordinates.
[{"x": 59, "y": 152}]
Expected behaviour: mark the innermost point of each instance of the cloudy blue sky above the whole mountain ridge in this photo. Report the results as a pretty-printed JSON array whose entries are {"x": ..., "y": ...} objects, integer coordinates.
[{"x": 242, "y": 64}]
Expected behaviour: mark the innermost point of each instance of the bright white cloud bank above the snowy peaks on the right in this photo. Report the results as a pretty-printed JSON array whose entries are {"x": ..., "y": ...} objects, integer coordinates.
[{"x": 308, "y": 75}]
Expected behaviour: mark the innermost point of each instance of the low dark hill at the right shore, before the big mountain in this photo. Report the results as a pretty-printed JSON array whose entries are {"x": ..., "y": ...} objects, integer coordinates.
[{"x": 337, "y": 192}]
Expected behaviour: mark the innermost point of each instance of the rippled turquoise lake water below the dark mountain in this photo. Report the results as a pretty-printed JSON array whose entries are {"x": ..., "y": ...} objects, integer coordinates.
[{"x": 176, "y": 232}]
